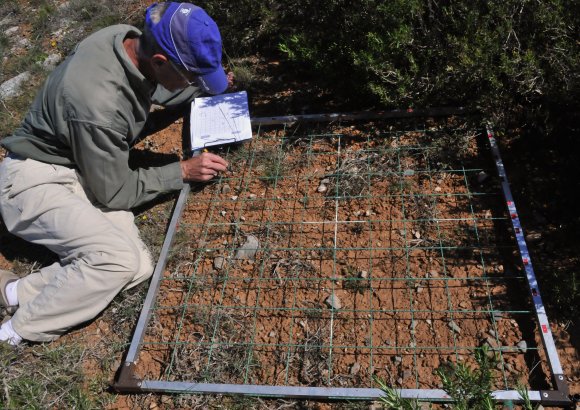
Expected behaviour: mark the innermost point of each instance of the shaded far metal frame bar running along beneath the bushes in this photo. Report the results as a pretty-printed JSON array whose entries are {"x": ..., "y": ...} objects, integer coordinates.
[{"x": 366, "y": 115}]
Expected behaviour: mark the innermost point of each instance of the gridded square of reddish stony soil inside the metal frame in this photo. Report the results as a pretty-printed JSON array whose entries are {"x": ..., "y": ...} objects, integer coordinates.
[{"x": 332, "y": 256}]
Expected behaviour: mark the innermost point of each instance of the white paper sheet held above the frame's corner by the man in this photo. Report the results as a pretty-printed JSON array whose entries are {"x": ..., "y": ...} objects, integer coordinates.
[{"x": 220, "y": 119}]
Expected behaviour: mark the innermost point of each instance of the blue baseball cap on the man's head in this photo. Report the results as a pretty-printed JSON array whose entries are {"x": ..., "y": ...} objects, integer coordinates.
[{"x": 191, "y": 39}]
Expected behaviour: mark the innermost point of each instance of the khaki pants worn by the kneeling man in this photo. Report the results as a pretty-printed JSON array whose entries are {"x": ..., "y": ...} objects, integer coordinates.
[{"x": 99, "y": 249}]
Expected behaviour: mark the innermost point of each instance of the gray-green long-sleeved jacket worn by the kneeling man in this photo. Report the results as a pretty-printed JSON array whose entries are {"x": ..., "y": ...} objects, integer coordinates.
[{"x": 88, "y": 114}]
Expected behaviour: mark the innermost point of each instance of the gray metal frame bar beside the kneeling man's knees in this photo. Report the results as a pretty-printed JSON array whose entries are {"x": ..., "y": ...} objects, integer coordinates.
[{"x": 156, "y": 278}]
